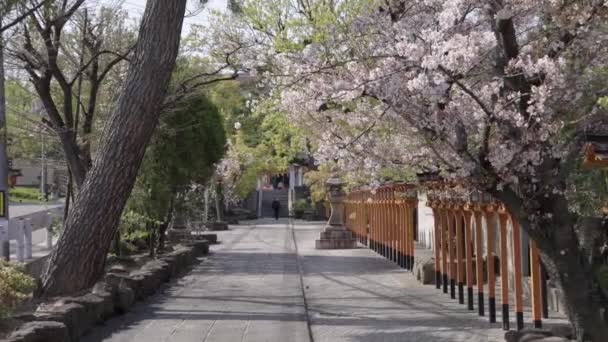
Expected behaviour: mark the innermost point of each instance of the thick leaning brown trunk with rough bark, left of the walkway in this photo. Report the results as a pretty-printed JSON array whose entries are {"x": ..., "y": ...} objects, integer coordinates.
[{"x": 79, "y": 257}]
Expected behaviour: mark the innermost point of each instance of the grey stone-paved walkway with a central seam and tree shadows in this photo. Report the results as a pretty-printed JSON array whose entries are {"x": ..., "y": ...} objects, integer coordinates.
[{"x": 249, "y": 289}]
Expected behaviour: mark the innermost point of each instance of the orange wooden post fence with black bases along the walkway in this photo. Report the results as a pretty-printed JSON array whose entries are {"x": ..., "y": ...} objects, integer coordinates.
[{"x": 474, "y": 238}]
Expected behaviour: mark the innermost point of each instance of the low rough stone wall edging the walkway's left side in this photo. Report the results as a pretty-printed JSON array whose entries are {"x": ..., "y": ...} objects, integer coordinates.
[{"x": 69, "y": 318}]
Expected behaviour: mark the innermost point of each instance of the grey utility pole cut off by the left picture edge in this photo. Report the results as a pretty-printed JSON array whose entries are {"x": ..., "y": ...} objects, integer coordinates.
[{"x": 4, "y": 173}]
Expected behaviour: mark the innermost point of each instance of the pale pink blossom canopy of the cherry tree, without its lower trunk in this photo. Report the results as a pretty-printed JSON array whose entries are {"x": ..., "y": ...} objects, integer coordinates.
[{"x": 437, "y": 83}]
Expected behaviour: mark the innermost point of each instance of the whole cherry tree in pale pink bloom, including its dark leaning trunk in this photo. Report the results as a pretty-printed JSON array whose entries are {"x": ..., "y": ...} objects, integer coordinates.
[{"x": 500, "y": 92}]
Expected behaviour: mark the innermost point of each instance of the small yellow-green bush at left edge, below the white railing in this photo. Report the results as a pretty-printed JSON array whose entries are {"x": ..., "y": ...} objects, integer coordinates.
[{"x": 15, "y": 286}]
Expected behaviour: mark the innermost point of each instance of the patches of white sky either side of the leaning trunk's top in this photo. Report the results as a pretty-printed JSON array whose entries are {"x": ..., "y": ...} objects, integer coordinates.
[{"x": 136, "y": 9}]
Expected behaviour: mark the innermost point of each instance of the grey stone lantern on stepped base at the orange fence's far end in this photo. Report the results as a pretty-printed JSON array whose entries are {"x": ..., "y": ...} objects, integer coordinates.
[{"x": 335, "y": 235}]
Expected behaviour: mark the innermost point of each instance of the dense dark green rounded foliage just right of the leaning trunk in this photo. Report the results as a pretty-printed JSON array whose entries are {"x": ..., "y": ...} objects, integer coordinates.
[{"x": 189, "y": 141}]
